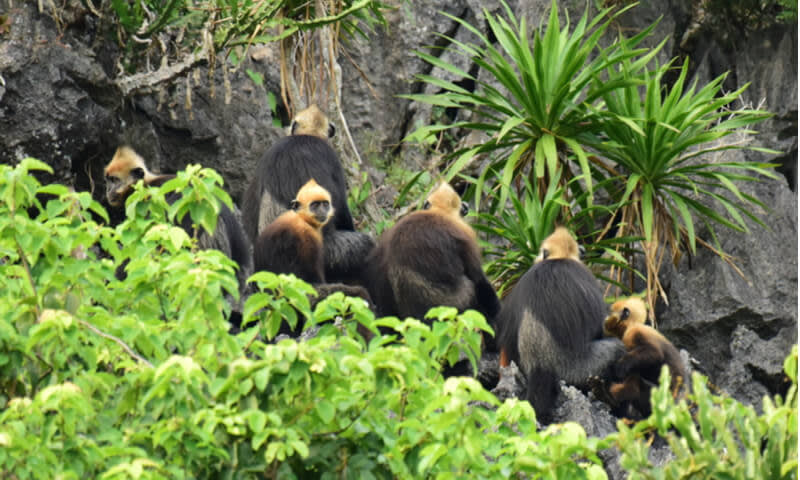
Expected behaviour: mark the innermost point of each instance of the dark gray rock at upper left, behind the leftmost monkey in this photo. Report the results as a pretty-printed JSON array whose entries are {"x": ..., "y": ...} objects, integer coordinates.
[{"x": 59, "y": 103}]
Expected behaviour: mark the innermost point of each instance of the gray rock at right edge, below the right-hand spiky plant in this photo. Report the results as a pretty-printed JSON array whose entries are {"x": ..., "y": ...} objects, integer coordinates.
[{"x": 741, "y": 329}]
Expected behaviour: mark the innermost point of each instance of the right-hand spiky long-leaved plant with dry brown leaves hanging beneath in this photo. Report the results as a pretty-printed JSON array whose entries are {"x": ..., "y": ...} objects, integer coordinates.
[{"x": 661, "y": 155}]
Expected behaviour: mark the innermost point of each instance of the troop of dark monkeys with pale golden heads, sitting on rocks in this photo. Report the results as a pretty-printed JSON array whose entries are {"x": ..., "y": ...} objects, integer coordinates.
[{"x": 554, "y": 324}]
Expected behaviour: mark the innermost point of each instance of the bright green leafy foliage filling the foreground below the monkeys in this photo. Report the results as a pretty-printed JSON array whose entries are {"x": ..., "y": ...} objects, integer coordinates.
[{"x": 138, "y": 377}]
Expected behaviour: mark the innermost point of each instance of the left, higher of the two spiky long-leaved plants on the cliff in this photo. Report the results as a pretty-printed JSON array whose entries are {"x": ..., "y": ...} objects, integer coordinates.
[{"x": 542, "y": 101}]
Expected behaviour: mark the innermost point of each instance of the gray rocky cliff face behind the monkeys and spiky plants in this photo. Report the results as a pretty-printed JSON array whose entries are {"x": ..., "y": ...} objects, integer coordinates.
[{"x": 59, "y": 102}]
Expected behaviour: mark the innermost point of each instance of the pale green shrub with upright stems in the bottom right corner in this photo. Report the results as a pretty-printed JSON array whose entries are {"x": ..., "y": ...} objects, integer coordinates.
[{"x": 718, "y": 437}]
